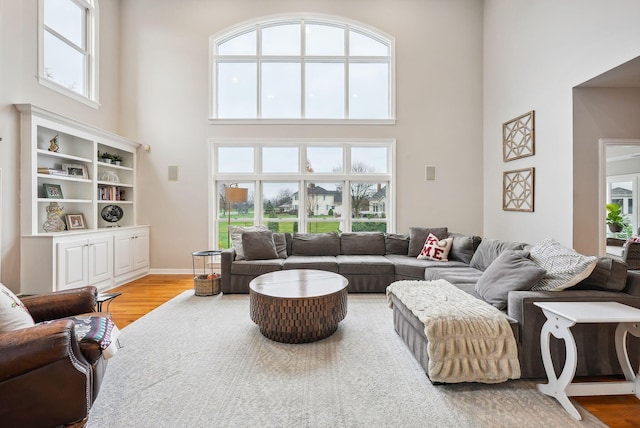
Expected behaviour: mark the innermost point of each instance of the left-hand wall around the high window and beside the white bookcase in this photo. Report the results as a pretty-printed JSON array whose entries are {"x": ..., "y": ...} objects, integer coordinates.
[{"x": 18, "y": 60}]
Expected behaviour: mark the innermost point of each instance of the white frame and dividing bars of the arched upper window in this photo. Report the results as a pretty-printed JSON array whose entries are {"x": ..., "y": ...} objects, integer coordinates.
[{"x": 303, "y": 19}]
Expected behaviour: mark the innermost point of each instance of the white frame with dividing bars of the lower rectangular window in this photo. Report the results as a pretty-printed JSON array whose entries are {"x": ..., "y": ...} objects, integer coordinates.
[{"x": 257, "y": 178}]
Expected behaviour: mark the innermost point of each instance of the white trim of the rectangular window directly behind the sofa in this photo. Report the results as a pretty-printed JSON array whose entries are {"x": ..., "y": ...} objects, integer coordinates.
[{"x": 214, "y": 177}]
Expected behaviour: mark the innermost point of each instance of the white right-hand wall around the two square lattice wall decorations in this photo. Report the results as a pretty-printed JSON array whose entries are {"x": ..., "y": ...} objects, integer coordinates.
[{"x": 535, "y": 52}]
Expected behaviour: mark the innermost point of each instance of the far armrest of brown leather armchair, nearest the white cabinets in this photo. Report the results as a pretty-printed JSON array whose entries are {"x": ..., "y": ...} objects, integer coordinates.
[{"x": 61, "y": 304}]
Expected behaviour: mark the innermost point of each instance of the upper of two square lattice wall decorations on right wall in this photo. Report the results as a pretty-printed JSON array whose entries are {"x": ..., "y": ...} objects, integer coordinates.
[{"x": 518, "y": 137}]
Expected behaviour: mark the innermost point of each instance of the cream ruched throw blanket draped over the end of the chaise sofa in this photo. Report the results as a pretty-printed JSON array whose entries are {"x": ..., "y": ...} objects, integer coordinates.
[{"x": 469, "y": 340}]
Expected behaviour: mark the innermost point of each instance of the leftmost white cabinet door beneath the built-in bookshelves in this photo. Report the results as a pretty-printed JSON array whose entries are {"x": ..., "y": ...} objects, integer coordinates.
[{"x": 72, "y": 264}]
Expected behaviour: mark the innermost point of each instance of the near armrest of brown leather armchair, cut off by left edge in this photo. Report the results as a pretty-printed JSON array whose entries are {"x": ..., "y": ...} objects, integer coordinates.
[{"x": 32, "y": 348}]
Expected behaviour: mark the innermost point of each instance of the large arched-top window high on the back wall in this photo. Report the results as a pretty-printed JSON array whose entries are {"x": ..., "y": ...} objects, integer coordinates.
[{"x": 302, "y": 68}]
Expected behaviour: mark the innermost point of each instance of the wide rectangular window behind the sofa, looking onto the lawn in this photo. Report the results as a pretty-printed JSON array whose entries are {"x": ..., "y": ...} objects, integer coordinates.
[{"x": 304, "y": 186}]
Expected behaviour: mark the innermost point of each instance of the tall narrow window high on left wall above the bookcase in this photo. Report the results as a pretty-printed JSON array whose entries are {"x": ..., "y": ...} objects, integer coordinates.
[{"x": 67, "y": 48}]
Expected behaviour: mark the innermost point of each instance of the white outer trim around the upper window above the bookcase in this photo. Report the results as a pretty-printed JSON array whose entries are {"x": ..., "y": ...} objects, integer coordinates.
[{"x": 92, "y": 98}]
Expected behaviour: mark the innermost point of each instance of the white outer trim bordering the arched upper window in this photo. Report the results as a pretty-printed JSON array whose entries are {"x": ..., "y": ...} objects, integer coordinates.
[{"x": 273, "y": 19}]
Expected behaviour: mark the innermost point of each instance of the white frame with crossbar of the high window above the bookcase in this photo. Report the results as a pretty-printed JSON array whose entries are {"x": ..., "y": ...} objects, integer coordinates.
[{"x": 90, "y": 53}]
